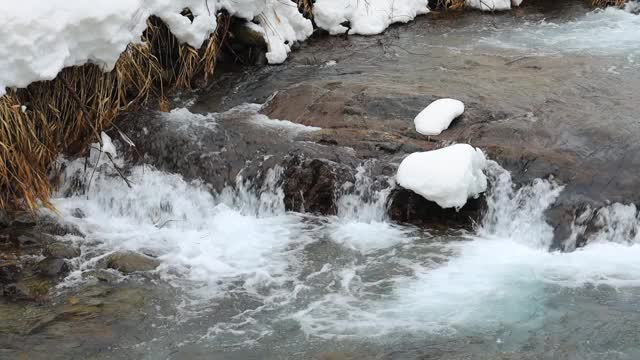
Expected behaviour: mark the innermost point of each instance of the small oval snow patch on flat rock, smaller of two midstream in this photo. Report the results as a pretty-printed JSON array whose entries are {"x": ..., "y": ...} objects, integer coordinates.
[{"x": 437, "y": 117}]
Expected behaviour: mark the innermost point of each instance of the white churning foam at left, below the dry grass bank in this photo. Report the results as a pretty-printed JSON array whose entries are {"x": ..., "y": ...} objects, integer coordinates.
[{"x": 198, "y": 237}]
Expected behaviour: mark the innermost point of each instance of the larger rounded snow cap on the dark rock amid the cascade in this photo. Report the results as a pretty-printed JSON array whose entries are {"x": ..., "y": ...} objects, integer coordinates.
[{"x": 448, "y": 176}]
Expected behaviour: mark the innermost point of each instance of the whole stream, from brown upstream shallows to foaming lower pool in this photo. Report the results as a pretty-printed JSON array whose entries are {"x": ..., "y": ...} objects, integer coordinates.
[{"x": 241, "y": 277}]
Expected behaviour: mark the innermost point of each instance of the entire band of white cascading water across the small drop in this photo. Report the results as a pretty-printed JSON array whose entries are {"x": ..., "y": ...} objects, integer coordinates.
[{"x": 351, "y": 276}]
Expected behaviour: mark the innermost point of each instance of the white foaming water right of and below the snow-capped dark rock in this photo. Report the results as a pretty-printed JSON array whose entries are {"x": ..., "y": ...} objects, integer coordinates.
[{"x": 500, "y": 278}]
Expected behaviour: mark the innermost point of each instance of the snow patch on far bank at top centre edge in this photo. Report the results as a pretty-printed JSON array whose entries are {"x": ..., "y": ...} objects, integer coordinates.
[{"x": 365, "y": 17}]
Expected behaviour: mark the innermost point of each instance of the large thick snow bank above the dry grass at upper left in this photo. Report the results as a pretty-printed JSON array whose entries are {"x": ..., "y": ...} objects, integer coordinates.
[{"x": 40, "y": 38}]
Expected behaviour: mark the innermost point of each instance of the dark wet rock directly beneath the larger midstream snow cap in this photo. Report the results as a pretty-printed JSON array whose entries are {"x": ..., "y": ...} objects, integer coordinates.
[{"x": 405, "y": 206}]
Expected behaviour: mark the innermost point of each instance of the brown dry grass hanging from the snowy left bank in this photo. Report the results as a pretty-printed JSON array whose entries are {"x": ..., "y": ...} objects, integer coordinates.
[{"x": 67, "y": 113}]
